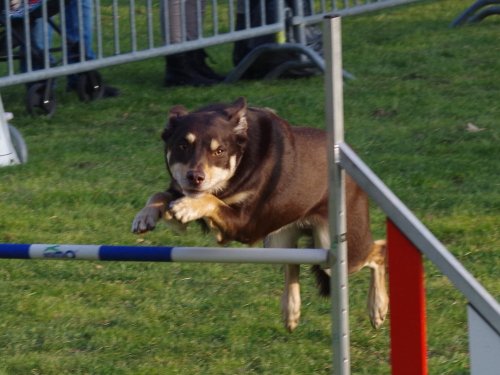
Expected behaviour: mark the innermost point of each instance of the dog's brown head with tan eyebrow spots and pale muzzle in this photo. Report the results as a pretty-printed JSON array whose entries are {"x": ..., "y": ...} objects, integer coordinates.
[{"x": 203, "y": 148}]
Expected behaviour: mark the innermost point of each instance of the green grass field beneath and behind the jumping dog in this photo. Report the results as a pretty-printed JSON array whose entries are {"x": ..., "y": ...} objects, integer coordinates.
[{"x": 92, "y": 166}]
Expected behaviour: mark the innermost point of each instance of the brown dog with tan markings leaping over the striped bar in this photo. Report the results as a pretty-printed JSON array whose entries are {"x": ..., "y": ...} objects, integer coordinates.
[{"x": 251, "y": 176}]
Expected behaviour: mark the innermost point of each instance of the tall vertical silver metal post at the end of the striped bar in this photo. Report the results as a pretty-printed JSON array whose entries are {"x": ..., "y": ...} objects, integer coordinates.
[{"x": 336, "y": 207}]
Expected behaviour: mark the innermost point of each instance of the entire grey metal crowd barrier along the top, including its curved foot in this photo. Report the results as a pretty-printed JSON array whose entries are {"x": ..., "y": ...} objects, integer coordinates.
[{"x": 127, "y": 31}]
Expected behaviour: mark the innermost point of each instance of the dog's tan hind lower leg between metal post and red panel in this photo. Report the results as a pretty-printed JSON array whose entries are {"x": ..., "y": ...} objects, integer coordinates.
[{"x": 378, "y": 300}]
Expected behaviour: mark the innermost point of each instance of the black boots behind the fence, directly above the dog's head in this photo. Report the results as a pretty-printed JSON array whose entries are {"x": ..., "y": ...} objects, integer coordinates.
[{"x": 181, "y": 70}]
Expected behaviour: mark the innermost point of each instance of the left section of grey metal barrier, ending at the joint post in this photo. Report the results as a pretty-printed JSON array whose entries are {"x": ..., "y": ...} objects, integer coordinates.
[{"x": 122, "y": 32}]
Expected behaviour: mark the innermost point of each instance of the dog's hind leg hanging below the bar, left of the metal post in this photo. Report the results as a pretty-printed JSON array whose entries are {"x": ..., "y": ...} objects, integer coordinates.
[{"x": 290, "y": 302}]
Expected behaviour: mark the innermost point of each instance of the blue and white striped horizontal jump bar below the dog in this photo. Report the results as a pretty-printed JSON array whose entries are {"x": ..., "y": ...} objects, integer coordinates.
[{"x": 164, "y": 254}]
